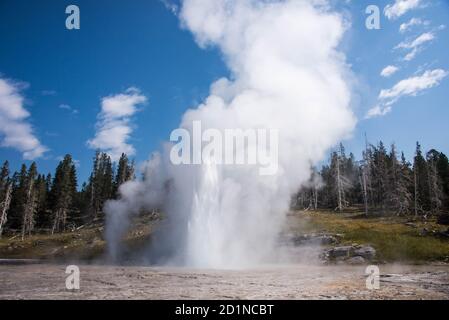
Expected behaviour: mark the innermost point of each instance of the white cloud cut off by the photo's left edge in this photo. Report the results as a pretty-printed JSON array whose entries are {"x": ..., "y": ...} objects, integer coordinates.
[{"x": 15, "y": 131}]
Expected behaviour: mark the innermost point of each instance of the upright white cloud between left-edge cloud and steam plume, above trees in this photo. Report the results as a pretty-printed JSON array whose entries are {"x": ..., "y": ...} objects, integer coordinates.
[{"x": 114, "y": 123}]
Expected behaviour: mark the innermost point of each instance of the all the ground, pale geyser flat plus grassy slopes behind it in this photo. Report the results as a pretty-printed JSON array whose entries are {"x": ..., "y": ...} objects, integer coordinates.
[{"x": 393, "y": 238}]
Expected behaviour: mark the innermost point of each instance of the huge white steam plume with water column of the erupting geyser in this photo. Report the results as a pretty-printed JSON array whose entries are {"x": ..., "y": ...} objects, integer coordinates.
[{"x": 286, "y": 74}]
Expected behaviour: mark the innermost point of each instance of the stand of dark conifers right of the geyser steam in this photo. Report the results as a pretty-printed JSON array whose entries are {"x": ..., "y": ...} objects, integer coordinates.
[{"x": 383, "y": 181}]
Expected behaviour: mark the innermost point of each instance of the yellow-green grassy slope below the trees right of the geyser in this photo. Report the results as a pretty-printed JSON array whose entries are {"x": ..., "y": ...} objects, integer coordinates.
[{"x": 393, "y": 240}]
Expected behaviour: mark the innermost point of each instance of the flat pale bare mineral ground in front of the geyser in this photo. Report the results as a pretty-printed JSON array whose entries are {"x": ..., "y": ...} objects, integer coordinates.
[{"x": 282, "y": 282}]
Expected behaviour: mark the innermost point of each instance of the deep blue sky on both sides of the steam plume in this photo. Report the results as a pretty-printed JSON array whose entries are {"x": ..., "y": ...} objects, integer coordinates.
[{"x": 63, "y": 75}]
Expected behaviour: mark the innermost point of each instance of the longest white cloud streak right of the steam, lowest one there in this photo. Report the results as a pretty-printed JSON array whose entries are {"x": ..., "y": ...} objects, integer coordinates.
[{"x": 408, "y": 87}]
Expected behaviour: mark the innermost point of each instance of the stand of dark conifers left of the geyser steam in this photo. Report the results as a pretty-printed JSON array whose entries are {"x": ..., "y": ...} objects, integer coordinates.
[{"x": 30, "y": 201}]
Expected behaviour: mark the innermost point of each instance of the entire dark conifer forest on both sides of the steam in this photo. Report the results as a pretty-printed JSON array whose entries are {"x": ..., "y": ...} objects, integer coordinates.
[{"x": 383, "y": 181}]
